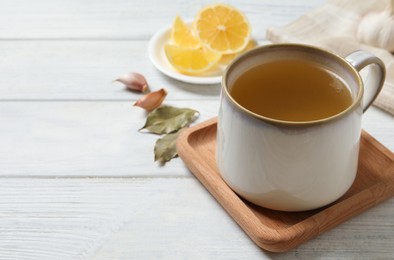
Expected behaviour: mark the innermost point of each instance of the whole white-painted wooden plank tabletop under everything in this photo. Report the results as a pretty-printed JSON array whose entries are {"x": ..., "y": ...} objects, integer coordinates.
[{"x": 77, "y": 181}]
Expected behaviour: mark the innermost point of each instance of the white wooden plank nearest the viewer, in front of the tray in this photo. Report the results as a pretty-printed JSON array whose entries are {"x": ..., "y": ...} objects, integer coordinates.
[{"x": 155, "y": 218}]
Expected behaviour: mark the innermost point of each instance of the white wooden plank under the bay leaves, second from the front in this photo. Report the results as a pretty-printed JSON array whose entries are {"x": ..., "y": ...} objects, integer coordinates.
[{"x": 101, "y": 138}]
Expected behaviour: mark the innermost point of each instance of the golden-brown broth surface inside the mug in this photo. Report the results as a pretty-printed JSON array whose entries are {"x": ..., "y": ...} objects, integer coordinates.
[{"x": 291, "y": 90}]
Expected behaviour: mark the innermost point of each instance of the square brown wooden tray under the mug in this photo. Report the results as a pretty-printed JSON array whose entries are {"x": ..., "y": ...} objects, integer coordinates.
[{"x": 279, "y": 231}]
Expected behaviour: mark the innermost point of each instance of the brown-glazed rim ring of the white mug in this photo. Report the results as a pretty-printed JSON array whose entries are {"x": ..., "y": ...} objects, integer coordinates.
[{"x": 355, "y": 102}]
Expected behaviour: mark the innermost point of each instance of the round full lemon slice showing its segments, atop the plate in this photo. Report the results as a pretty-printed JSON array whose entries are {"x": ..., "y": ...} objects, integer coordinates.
[{"x": 222, "y": 28}]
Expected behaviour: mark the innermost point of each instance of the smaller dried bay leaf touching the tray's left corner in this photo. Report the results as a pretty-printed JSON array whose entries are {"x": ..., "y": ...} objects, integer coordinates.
[{"x": 165, "y": 147}]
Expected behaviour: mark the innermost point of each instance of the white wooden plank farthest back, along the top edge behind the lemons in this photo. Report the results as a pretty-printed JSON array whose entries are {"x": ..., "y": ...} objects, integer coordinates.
[{"x": 108, "y": 19}]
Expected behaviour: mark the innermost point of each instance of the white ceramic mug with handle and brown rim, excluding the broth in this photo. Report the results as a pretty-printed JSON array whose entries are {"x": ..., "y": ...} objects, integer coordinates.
[{"x": 294, "y": 166}]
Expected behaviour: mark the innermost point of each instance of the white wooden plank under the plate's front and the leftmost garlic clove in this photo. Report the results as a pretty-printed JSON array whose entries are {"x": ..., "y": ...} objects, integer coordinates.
[{"x": 83, "y": 70}]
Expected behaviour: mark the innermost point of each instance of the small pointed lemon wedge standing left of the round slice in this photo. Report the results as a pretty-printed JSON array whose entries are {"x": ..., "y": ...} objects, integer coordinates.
[{"x": 182, "y": 35}]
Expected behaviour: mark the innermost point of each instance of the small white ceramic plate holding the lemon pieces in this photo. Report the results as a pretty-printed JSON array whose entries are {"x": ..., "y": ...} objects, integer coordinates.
[{"x": 159, "y": 60}]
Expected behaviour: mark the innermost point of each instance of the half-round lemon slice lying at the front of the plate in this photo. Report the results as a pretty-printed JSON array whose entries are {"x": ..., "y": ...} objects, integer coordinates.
[{"x": 191, "y": 60}]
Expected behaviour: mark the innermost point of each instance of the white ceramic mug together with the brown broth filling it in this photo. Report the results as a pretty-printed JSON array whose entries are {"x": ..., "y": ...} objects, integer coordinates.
[{"x": 289, "y": 124}]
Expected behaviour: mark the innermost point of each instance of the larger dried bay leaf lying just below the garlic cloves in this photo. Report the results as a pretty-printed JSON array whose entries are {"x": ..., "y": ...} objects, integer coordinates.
[{"x": 169, "y": 119}]
